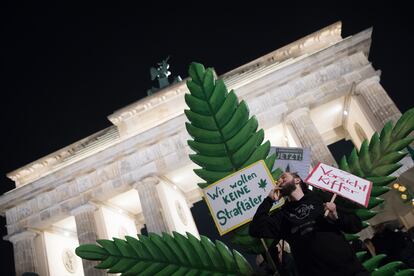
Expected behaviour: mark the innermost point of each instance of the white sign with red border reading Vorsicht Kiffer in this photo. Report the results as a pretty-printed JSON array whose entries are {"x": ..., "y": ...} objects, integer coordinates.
[{"x": 341, "y": 183}]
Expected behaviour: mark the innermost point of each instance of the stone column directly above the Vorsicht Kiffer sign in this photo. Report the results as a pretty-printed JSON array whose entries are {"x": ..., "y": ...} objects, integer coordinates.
[{"x": 309, "y": 137}]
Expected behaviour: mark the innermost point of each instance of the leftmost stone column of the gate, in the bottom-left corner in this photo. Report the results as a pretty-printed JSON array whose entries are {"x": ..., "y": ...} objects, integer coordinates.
[{"x": 25, "y": 259}]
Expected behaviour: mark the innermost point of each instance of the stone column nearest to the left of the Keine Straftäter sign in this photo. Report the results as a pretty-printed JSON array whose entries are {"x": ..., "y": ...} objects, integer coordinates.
[{"x": 151, "y": 205}]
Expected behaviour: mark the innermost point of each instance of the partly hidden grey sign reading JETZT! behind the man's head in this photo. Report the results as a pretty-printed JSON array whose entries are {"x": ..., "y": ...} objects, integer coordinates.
[{"x": 297, "y": 159}]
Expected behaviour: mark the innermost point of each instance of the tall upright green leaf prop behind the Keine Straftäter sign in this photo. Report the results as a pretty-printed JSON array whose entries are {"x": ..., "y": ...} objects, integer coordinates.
[{"x": 225, "y": 138}]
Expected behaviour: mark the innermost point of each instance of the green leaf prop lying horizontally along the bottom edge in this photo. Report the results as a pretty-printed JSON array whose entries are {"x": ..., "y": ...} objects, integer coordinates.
[{"x": 165, "y": 255}]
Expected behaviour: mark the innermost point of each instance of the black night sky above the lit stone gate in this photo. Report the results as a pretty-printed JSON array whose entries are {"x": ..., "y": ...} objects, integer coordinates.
[{"x": 66, "y": 68}]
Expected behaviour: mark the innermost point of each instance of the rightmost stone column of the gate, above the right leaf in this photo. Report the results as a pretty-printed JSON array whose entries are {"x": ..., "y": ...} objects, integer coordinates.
[{"x": 379, "y": 104}]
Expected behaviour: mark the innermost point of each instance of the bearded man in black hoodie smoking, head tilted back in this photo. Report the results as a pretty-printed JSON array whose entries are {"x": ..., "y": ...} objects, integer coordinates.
[{"x": 317, "y": 243}]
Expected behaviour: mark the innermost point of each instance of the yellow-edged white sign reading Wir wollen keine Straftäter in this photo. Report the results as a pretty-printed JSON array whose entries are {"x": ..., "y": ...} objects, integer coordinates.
[{"x": 234, "y": 199}]
